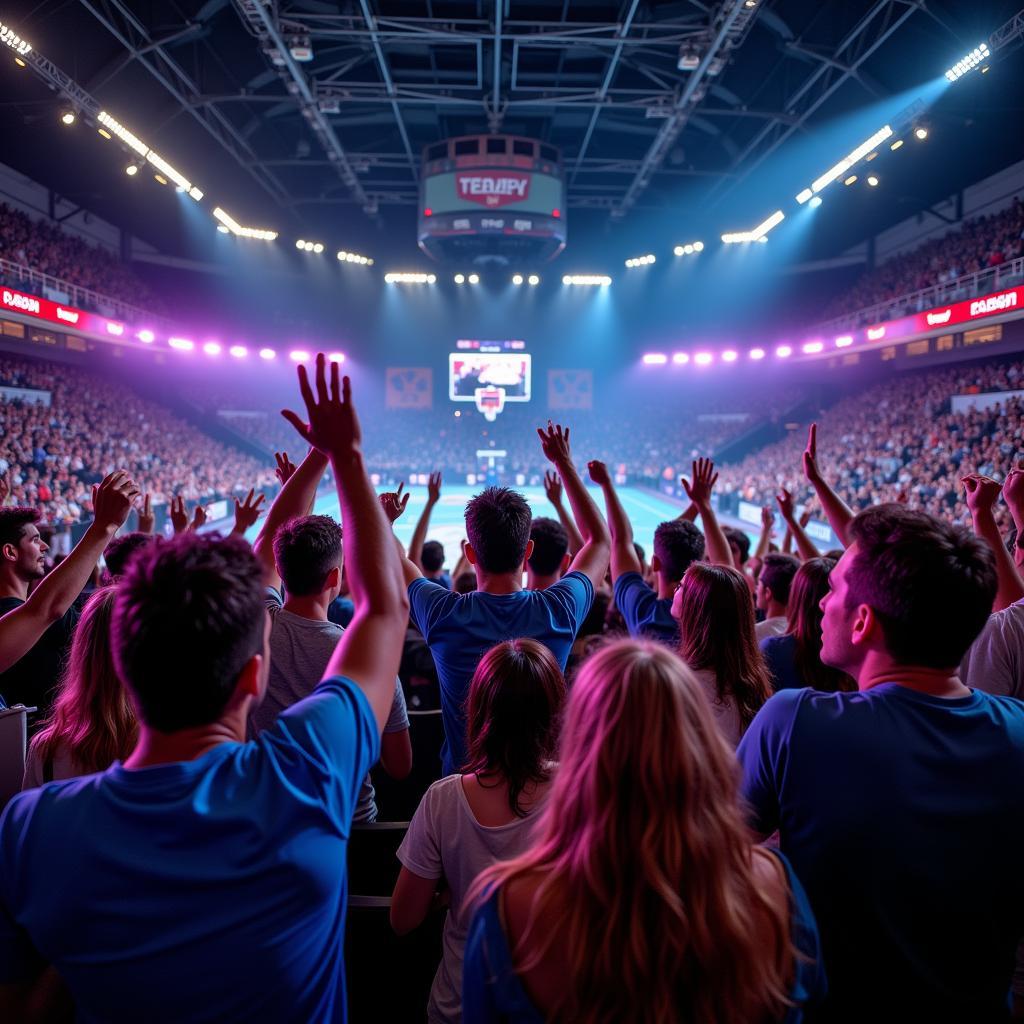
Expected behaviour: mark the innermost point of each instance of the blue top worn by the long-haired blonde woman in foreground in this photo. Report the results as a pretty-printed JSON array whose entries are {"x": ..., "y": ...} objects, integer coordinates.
[{"x": 493, "y": 994}]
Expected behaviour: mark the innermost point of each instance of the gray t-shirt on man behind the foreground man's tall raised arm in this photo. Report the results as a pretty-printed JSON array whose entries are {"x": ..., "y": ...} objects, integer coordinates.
[{"x": 301, "y": 651}]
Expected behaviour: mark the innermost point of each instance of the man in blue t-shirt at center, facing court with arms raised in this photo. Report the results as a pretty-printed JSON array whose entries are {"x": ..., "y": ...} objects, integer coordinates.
[{"x": 461, "y": 628}]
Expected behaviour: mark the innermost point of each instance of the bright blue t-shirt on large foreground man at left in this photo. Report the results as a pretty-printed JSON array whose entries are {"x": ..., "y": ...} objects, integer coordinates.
[{"x": 211, "y": 890}]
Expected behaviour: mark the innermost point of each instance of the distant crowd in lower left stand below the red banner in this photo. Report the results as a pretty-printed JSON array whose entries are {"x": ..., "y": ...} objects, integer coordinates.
[{"x": 54, "y": 454}]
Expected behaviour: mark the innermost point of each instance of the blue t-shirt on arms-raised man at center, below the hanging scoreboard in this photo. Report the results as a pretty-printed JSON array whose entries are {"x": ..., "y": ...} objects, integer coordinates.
[{"x": 461, "y": 628}]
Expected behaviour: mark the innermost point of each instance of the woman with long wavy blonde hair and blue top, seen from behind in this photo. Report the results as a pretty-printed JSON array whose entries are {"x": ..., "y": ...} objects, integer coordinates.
[{"x": 644, "y": 898}]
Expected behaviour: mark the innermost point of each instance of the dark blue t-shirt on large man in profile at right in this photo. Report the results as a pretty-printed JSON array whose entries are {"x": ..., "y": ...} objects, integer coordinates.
[{"x": 904, "y": 816}]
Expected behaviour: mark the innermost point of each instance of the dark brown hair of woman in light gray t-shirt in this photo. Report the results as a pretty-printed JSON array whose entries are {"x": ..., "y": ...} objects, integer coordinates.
[{"x": 513, "y": 712}]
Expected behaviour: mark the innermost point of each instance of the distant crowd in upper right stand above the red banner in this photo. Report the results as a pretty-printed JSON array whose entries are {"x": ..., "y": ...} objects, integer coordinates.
[{"x": 976, "y": 244}]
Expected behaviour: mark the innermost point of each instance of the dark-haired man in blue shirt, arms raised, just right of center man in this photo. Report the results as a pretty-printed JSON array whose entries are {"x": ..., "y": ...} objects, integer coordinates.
[{"x": 678, "y": 544}]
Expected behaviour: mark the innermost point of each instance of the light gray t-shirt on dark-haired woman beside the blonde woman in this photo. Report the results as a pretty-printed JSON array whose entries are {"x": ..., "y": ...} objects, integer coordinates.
[{"x": 445, "y": 840}]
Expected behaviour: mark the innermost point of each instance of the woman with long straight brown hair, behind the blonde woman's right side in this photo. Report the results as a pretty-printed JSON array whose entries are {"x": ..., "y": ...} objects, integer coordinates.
[{"x": 715, "y": 612}]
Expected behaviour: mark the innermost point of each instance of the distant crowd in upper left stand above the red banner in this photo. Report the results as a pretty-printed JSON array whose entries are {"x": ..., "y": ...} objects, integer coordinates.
[{"x": 48, "y": 249}]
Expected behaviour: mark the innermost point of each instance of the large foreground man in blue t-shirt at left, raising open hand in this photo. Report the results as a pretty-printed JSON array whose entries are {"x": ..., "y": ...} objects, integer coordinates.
[{"x": 204, "y": 880}]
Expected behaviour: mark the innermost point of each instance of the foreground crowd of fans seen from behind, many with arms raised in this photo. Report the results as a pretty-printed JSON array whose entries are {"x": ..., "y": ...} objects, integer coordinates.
[{"x": 649, "y": 831}]
